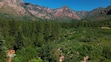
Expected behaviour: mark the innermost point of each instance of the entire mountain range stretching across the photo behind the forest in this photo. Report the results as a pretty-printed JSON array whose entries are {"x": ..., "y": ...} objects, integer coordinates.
[{"x": 20, "y": 9}]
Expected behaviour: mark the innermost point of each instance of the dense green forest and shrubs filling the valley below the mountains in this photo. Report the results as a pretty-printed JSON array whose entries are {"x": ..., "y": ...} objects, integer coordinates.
[{"x": 46, "y": 40}]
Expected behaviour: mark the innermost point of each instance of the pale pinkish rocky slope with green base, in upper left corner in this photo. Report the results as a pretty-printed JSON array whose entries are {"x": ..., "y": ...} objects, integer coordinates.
[{"x": 12, "y": 7}]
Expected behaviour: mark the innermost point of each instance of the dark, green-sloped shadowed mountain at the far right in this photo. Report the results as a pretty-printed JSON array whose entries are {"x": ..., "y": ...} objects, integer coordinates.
[{"x": 99, "y": 14}]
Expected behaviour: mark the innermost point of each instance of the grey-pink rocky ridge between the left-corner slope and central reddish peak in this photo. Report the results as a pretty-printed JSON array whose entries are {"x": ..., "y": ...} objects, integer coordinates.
[{"x": 38, "y": 11}]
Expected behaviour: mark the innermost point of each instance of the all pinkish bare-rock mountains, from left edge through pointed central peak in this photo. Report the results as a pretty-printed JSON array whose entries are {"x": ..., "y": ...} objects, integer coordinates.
[{"x": 17, "y": 7}]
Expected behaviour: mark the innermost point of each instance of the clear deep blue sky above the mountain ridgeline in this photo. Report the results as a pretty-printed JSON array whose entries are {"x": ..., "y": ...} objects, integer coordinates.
[{"x": 76, "y": 5}]
